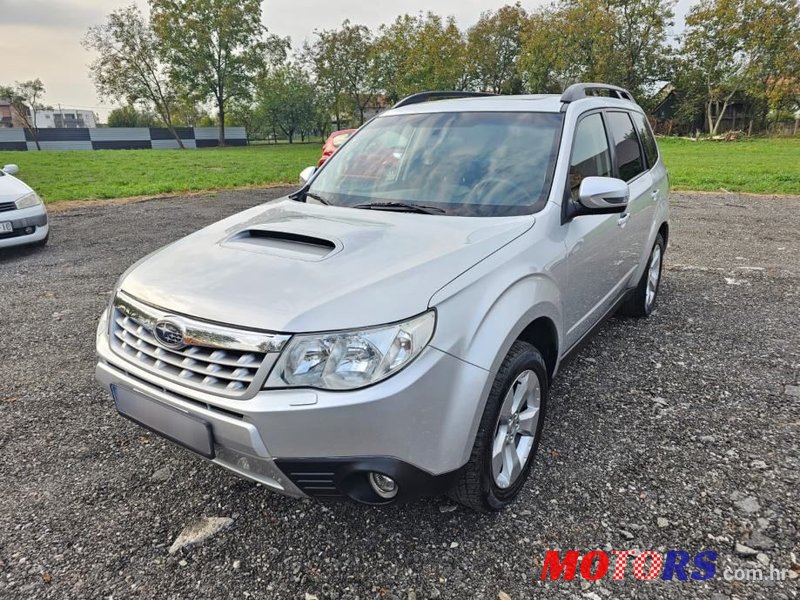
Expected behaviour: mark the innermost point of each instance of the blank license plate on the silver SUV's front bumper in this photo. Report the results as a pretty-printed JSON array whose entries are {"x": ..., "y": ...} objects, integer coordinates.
[{"x": 179, "y": 427}]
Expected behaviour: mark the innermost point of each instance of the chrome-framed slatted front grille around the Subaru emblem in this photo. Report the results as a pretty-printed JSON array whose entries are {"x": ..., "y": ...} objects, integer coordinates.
[{"x": 225, "y": 361}]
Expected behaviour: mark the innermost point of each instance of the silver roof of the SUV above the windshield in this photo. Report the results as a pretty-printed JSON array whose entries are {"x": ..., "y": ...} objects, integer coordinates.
[{"x": 528, "y": 103}]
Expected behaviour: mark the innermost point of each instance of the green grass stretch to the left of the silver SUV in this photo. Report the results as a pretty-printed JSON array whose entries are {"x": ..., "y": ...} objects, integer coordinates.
[{"x": 79, "y": 175}]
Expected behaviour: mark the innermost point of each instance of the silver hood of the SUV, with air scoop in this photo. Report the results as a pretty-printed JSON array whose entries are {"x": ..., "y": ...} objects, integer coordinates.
[{"x": 296, "y": 267}]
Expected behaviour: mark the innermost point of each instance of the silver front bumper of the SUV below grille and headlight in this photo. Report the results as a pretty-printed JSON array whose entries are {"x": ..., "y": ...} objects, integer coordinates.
[{"x": 417, "y": 426}]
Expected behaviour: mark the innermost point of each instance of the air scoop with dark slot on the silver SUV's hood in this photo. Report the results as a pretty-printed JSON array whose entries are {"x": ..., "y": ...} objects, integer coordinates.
[{"x": 282, "y": 243}]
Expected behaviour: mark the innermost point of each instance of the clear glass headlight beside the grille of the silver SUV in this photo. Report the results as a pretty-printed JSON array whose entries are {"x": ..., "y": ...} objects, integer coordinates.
[{"x": 348, "y": 360}]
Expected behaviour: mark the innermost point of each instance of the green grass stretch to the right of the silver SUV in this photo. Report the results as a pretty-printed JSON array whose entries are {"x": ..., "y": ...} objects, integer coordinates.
[{"x": 758, "y": 166}]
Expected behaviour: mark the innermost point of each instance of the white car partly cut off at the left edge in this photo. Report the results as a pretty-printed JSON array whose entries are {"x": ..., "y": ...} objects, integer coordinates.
[{"x": 23, "y": 217}]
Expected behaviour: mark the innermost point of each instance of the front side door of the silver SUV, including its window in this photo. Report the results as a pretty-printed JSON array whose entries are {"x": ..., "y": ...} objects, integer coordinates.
[{"x": 596, "y": 244}]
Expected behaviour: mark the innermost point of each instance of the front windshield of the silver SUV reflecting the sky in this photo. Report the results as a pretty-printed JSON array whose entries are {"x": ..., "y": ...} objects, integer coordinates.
[{"x": 466, "y": 164}]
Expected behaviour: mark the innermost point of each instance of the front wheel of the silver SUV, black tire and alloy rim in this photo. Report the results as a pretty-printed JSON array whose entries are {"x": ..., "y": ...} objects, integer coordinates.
[{"x": 478, "y": 487}]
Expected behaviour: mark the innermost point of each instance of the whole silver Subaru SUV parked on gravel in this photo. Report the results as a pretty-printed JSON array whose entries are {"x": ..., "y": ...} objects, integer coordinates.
[{"x": 392, "y": 328}]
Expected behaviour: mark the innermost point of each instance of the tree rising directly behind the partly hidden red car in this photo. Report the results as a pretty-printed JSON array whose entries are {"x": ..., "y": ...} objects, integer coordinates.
[{"x": 342, "y": 61}]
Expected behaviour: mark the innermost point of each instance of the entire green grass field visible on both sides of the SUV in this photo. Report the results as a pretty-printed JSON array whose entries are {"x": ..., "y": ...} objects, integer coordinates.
[{"x": 760, "y": 166}]
